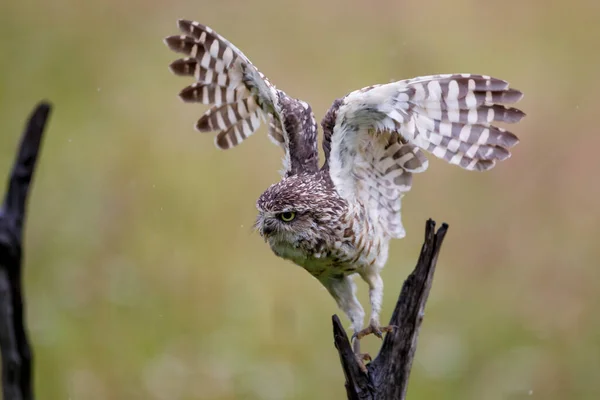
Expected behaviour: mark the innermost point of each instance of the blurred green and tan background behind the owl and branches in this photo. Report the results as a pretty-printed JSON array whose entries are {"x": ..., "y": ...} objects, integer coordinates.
[{"x": 144, "y": 279}]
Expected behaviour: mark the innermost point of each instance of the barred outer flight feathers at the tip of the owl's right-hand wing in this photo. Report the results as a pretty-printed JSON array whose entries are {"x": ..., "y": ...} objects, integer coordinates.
[{"x": 451, "y": 116}]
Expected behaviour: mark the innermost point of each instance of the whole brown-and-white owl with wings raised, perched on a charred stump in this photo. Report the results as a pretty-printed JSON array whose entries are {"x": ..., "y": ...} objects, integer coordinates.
[{"x": 337, "y": 220}]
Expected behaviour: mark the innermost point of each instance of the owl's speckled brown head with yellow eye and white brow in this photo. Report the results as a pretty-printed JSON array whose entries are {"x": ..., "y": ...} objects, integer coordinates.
[{"x": 300, "y": 209}]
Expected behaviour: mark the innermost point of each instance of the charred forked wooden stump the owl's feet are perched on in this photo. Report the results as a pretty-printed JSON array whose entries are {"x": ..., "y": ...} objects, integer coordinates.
[{"x": 387, "y": 376}]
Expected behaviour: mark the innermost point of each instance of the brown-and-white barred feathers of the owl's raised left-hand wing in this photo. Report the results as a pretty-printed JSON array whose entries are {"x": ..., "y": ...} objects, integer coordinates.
[{"x": 240, "y": 96}]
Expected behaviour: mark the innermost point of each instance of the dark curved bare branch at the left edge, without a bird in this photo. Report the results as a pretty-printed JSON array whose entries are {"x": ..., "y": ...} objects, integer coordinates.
[{"x": 17, "y": 380}]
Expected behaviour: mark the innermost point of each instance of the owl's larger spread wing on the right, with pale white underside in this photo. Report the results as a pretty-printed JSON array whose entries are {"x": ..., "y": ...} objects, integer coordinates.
[{"x": 374, "y": 137}]
